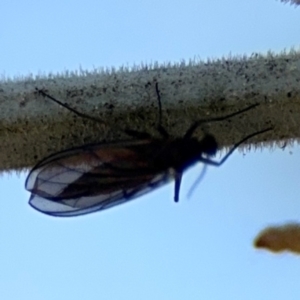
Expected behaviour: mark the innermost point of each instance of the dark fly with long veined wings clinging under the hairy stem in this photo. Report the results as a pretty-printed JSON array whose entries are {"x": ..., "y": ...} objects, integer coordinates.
[{"x": 94, "y": 177}]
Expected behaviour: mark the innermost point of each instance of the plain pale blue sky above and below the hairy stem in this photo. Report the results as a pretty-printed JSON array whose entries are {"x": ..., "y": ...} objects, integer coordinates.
[{"x": 151, "y": 248}]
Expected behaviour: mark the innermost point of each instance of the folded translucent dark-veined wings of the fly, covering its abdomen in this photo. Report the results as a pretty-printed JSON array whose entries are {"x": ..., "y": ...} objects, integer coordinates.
[{"x": 91, "y": 178}]
